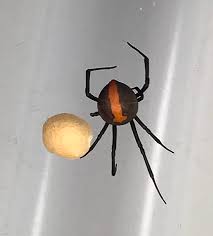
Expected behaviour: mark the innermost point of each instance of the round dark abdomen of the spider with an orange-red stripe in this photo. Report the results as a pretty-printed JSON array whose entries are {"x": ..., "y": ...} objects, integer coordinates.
[{"x": 117, "y": 103}]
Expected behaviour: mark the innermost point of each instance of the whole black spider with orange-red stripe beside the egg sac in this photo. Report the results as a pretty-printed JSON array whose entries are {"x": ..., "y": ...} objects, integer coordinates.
[{"x": 117, "y": 104}]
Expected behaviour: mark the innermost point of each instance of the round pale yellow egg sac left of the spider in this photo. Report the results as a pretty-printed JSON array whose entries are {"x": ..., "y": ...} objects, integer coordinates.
[{"x": 67, "y": 135}]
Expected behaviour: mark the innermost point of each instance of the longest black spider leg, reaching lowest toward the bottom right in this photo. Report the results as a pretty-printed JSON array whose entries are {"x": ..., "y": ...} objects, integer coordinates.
[{"x": 145, "y": 158}]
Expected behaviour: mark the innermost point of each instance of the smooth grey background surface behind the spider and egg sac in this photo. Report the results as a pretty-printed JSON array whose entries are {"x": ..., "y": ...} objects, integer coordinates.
[{"x": 45, "y": 48}]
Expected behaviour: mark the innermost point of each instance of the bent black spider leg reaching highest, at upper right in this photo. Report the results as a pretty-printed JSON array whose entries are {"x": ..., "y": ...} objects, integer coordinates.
[{"x": 146, "y": 64}]
